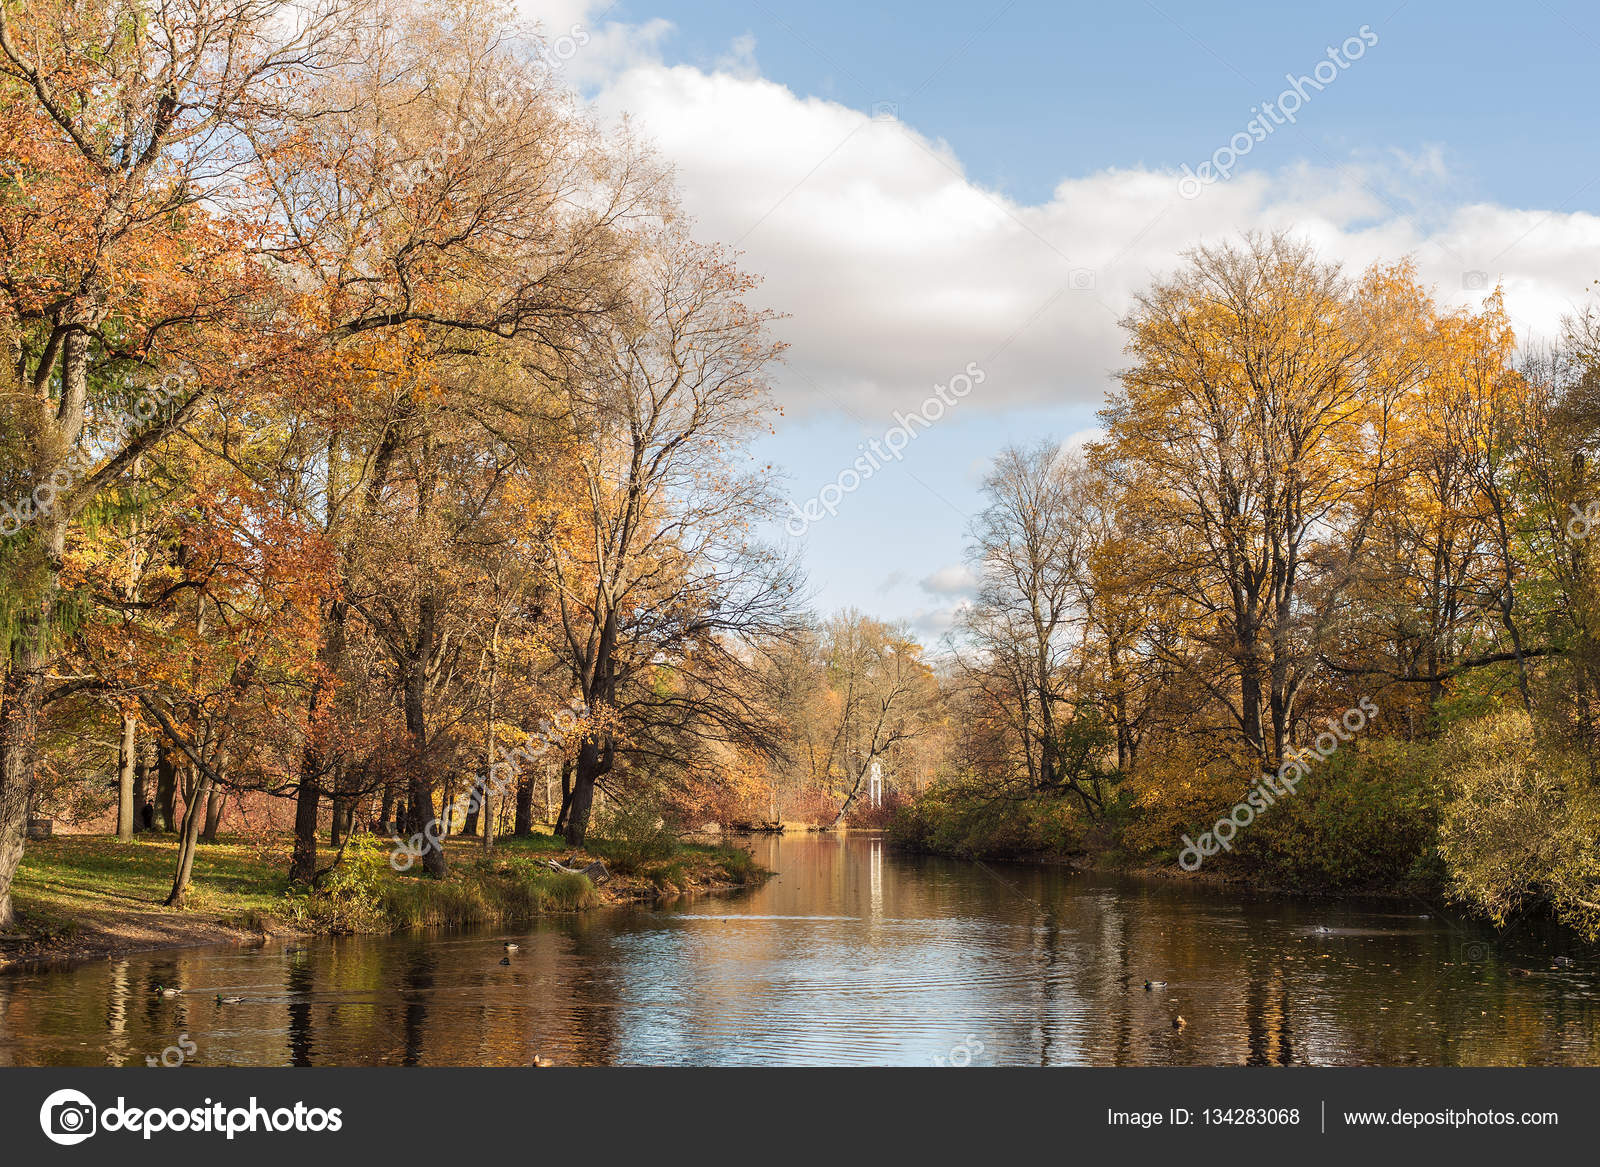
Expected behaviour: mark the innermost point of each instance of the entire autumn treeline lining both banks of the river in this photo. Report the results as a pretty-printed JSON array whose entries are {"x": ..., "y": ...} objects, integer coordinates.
[{"x": 378, "y": 433}]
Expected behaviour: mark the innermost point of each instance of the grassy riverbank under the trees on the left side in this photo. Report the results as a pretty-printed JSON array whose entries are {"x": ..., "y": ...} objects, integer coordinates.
[{"x": 89, "y": 897}]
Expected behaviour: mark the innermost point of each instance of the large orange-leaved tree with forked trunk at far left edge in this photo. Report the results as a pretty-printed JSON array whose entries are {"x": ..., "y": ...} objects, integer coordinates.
[{"x": 132, "y": 241}]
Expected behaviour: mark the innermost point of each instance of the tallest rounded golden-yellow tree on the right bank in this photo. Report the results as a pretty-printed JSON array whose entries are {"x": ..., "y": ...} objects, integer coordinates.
[{"x": 1255, "y": 427}]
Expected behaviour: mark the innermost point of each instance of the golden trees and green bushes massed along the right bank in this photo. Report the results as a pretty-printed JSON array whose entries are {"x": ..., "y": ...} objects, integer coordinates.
[{"x": 1326, "y": 592}]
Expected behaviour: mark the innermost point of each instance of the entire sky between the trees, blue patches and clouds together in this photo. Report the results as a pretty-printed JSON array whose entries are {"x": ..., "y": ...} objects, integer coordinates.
[{"x": 970, "y": 196}]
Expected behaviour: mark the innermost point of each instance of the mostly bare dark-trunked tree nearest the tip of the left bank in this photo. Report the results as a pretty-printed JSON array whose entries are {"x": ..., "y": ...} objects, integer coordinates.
[{"x": 657, "y": 567}]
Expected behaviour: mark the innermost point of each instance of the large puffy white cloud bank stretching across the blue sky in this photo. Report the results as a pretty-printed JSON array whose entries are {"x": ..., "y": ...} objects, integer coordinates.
[{"x": 897, "y": 270}]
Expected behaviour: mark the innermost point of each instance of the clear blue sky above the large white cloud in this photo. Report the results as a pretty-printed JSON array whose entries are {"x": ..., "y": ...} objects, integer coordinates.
[{"x": 1033, "y": 92}]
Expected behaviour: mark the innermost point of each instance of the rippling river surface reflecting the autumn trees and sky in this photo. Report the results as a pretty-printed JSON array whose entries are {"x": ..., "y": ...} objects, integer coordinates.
[{"x": 855, "y": 955}]
